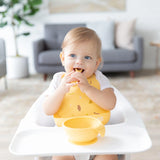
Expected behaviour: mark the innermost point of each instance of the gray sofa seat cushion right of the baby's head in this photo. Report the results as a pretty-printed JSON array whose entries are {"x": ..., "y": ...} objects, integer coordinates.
[{"x": 118, "y": 56}]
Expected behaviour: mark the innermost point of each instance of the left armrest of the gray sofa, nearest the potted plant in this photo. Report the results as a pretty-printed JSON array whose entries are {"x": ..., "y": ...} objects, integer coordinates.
[{"x": 38, "y": 47}]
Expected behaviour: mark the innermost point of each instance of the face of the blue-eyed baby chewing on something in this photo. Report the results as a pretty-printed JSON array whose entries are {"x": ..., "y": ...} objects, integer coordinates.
[{"x": 82, "y": 57}]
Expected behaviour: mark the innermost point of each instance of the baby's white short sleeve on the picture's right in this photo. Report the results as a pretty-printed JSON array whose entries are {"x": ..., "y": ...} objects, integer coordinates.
[{"x": 103, "y": 80}]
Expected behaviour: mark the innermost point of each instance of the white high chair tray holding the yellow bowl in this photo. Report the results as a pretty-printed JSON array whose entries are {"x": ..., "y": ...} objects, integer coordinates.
[{"x": 47, "y": 141}]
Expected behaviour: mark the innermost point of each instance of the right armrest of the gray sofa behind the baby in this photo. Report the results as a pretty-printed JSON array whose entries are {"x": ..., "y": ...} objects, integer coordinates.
[{"x": 138, "y": 47}]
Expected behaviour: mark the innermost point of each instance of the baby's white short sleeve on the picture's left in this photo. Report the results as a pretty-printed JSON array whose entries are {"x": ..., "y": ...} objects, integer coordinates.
[{"x": 54, "y": 83}]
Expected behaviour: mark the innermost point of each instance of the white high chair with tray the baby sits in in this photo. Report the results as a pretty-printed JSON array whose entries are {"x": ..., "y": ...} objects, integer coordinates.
[{"x": 38, "y": 136}]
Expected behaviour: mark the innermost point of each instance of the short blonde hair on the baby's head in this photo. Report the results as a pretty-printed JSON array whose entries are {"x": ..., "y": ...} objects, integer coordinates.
[{"x": 82, "y": 34}]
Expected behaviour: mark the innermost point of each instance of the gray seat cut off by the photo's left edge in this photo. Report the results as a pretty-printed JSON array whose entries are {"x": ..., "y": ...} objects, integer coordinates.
[{"x": 3, "y": 70}]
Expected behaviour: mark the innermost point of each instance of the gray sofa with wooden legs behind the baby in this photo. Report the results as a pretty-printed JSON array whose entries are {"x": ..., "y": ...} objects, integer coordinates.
[{"x": 46, "y": 52}]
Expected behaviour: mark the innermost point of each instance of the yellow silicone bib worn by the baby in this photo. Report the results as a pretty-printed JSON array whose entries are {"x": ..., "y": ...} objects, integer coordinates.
[{"x": 77, "y": 103}]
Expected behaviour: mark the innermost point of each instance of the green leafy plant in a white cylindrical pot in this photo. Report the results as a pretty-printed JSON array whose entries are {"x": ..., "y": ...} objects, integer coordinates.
[{"x": 15, "y": 14}]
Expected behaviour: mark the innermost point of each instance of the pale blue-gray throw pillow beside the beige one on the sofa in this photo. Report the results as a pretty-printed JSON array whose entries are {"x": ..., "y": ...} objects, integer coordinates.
[{"x": 105, "y": 31}]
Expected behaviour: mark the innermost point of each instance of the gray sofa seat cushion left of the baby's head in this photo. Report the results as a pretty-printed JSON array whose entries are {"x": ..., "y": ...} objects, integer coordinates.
[{"x": 50, "y": 57}]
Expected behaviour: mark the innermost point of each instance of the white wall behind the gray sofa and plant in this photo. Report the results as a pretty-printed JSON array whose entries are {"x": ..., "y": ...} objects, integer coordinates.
[{"x": 146, "y": 12}]
